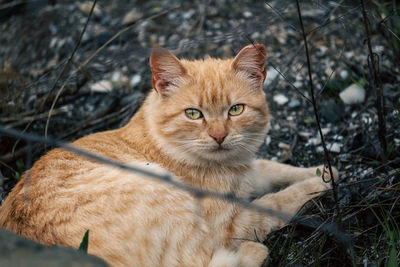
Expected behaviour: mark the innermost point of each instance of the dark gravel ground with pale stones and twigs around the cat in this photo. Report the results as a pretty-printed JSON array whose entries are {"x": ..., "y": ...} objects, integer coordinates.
[{"x": 104, "y": 83}]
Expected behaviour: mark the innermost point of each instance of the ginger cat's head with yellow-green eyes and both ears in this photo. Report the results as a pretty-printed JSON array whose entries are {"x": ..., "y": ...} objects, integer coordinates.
[{"x": 210, "y": 110}]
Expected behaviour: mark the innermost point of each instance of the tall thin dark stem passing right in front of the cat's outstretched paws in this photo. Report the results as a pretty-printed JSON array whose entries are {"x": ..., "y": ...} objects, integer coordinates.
[{"x": 327, "y": 158}]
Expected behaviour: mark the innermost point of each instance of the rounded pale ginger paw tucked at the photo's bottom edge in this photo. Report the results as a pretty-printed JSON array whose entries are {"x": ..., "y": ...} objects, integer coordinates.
[{"x": 252, "y": 254}]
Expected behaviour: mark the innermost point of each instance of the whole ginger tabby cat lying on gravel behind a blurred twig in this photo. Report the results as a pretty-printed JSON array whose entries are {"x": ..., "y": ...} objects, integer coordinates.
[{"x": 202, "y": 123}]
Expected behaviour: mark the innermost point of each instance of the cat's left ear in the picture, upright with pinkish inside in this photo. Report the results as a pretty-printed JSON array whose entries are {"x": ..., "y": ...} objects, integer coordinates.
[{"x": 167, "y": 70}]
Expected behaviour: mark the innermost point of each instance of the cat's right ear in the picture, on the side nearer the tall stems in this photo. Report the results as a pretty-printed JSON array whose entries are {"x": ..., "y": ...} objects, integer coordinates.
[{"x": 251, "y": 62}]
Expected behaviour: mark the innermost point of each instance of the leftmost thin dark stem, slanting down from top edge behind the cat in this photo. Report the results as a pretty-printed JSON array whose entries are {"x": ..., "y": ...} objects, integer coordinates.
[{"x": 65, "y": 67}]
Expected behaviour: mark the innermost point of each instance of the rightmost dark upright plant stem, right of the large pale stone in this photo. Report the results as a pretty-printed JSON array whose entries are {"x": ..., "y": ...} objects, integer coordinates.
[{"x": 377, "y": 86}]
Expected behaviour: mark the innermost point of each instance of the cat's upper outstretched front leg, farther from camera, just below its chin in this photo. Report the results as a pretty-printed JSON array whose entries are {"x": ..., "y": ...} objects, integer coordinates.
[{"x": 267, "y": 174}]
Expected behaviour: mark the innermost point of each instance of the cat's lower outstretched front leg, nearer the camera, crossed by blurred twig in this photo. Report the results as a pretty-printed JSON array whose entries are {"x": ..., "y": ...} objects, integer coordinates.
[{"x": 251, "y": 224}]
